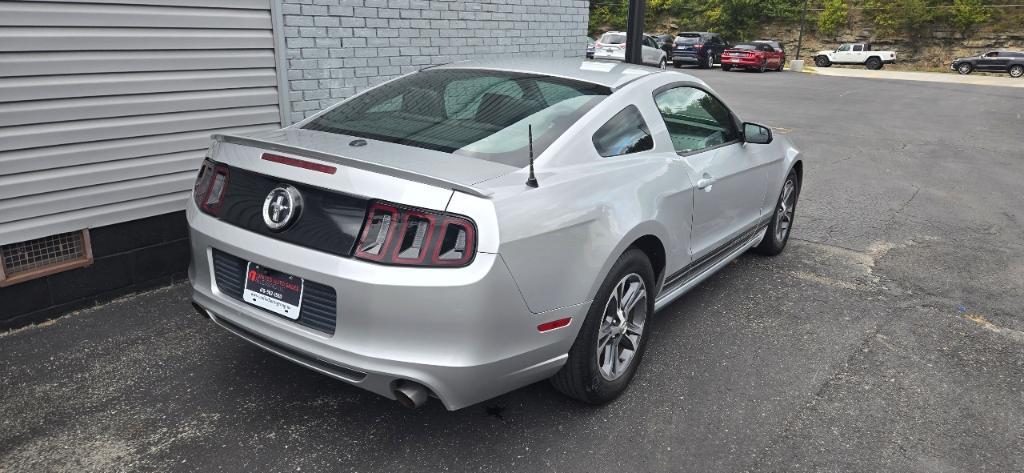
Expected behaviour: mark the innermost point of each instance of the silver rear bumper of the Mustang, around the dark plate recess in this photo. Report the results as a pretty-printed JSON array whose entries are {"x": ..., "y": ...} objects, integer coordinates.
[{"x": 463, "y": 333}]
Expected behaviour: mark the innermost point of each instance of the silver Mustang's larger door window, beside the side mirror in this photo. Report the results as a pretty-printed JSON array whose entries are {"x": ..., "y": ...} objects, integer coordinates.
[{"x": 696, "y": 120}]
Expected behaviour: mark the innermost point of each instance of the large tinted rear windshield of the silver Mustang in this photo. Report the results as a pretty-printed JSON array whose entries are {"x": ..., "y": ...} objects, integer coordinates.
[{"x": 480, "y": 114}]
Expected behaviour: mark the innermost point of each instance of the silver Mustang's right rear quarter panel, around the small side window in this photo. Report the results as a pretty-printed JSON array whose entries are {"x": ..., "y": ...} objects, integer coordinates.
[{"x": 562, "y": 239}]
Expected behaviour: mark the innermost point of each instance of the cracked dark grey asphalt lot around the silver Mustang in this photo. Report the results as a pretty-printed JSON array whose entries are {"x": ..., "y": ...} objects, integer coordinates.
[{"x": 888, "y": 337}]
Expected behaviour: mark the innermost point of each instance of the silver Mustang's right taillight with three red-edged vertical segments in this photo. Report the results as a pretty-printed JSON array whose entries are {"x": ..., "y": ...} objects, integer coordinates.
[{"x": 404, "y": 236}]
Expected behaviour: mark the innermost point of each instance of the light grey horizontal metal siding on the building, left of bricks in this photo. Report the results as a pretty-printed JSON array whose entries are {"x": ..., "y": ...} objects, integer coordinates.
[{"x": 107, "y": 106}]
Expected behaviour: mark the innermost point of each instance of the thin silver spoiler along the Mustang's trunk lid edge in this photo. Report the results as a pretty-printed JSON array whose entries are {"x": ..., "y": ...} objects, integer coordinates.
[{"x": 353, "y": 163}]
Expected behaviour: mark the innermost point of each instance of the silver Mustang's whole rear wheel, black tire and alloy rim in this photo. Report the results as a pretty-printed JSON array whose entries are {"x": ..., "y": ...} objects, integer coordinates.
[{"x": 613, "y": 338}]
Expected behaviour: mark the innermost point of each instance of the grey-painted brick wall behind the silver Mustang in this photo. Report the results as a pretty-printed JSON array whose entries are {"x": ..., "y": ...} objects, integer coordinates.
[{"x": 339, "y": 48}]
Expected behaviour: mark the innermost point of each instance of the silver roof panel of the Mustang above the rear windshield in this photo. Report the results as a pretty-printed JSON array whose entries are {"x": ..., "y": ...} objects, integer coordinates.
[{"x": 609, "y": 74}]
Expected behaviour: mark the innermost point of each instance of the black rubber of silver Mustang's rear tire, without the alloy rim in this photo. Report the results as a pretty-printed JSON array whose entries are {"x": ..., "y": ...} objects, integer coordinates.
[{"x": 581, "y": 378}]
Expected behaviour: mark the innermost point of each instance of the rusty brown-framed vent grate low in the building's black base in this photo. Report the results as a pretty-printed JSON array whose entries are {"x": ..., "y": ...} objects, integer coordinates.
[{"x": 36, "y": 259}]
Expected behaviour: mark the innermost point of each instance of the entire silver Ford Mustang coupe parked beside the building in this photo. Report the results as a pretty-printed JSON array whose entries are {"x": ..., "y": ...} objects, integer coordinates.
[{"x": 472, "y": 229}]
